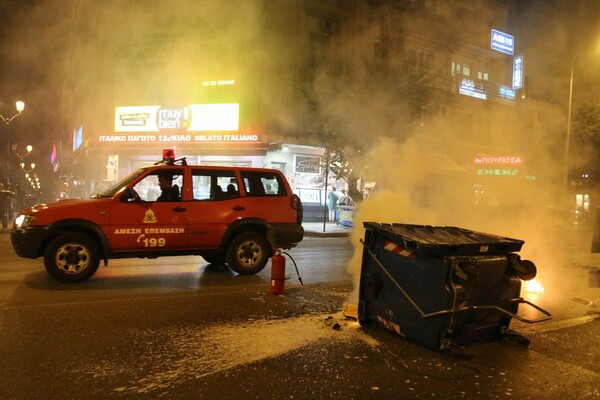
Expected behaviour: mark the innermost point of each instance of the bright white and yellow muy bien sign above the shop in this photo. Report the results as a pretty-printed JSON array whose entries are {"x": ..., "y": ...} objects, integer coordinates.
[{"x": 190, "y": 118}]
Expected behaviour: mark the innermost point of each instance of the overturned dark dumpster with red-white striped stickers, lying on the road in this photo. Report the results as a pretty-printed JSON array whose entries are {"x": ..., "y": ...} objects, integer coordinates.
[{"x": 442, "y": 287}]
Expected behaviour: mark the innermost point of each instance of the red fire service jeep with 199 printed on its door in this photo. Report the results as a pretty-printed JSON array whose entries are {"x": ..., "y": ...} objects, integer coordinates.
[{"x": 224, "y": 214}]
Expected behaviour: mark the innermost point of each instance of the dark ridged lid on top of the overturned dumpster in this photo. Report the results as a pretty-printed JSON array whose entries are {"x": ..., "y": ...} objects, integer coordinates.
[{"x": 444, "y": 240}]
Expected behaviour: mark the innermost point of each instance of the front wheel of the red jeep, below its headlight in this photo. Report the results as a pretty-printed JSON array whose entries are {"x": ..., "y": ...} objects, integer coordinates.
[{"x": 71, "y": 257}]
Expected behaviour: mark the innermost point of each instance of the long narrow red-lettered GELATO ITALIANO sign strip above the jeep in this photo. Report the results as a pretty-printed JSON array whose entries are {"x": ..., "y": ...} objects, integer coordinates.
[{"x": 181, "y": 138}]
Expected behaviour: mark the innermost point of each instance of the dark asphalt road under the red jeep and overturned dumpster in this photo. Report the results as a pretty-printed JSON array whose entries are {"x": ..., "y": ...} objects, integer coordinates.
[{"x": 177, "y": 328}]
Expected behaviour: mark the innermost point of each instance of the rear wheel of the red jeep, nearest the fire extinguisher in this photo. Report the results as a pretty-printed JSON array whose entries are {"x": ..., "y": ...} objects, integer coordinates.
[{"x": 248, "y": 253}]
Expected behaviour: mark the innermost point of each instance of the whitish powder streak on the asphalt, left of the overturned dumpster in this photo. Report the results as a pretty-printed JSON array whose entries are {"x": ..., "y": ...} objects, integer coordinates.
[{"x": 197, "y": 353}]
